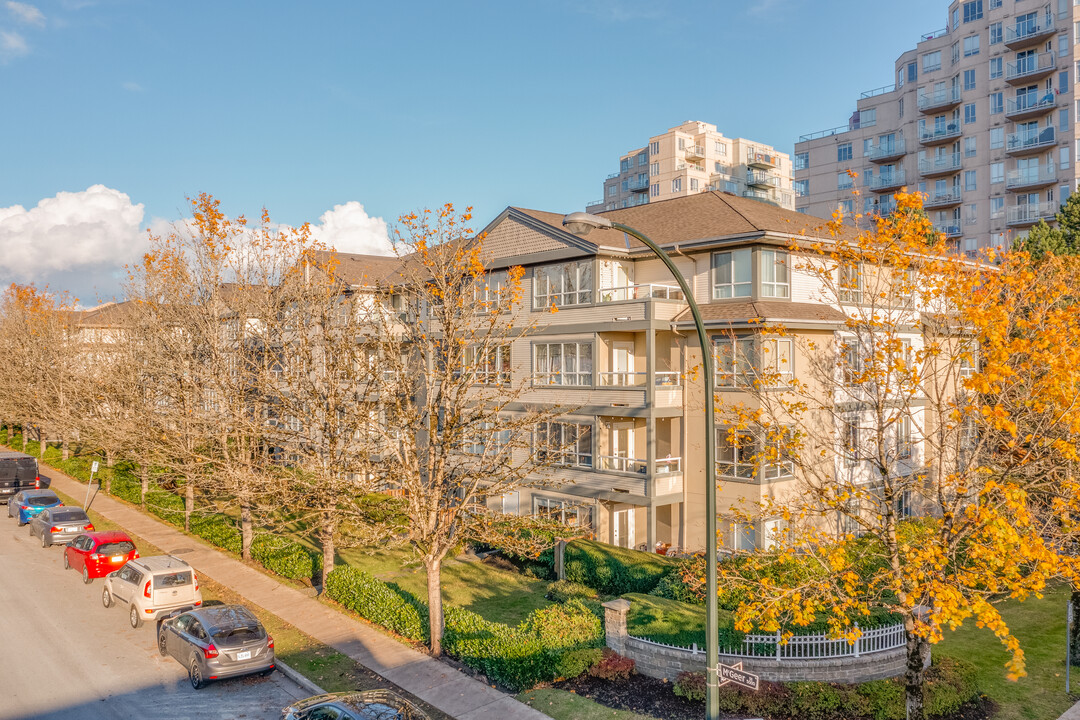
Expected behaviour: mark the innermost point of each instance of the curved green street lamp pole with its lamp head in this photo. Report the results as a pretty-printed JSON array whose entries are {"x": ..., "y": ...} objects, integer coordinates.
[{"x": 582, "y": 224}]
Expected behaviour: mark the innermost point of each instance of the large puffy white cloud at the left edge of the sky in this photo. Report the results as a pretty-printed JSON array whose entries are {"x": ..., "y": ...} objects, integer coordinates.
[{"x": 97, "y": 229}]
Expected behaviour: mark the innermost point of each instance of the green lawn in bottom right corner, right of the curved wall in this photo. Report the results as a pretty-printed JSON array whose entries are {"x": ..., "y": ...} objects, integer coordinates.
[{"x": 1039, "y": 626}]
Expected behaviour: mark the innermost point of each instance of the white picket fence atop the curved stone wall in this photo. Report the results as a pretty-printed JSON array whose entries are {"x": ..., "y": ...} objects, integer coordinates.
[{"x": 808, "y": 647}]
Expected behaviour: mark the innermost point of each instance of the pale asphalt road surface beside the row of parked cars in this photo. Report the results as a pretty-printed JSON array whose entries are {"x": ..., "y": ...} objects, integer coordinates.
[{"x": 64, "y": 657}]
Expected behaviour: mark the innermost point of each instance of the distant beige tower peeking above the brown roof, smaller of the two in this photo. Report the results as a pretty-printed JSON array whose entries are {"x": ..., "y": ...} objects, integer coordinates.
[{"x": 694, "y": 158}]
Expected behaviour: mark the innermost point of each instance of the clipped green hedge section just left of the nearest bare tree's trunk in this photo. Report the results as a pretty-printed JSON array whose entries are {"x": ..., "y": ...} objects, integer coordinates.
[{"x": 377, "y": 603}]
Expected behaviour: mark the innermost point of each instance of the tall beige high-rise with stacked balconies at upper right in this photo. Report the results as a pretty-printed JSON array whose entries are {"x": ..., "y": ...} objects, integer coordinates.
[{"x": 981, "y": 119}]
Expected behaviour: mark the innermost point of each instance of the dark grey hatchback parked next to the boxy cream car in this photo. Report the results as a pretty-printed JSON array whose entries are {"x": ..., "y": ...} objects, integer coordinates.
[{"x": 218, "y": 643}]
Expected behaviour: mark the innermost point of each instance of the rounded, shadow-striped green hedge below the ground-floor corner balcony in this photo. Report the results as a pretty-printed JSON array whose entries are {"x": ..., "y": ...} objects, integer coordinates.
[{"x": 614, "y": 570}]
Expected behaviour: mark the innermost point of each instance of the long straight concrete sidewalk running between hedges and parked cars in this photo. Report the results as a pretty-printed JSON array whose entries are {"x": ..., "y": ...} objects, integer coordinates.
[{"x": 445, "y": 688}]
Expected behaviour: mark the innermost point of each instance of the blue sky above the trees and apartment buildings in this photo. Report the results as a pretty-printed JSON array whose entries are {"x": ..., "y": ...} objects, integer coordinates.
[{"x": 303, "y": 107}]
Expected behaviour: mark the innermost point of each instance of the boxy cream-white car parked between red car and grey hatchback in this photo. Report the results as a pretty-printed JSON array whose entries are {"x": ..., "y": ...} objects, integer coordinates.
[{"x": 152, "y": 587}]
